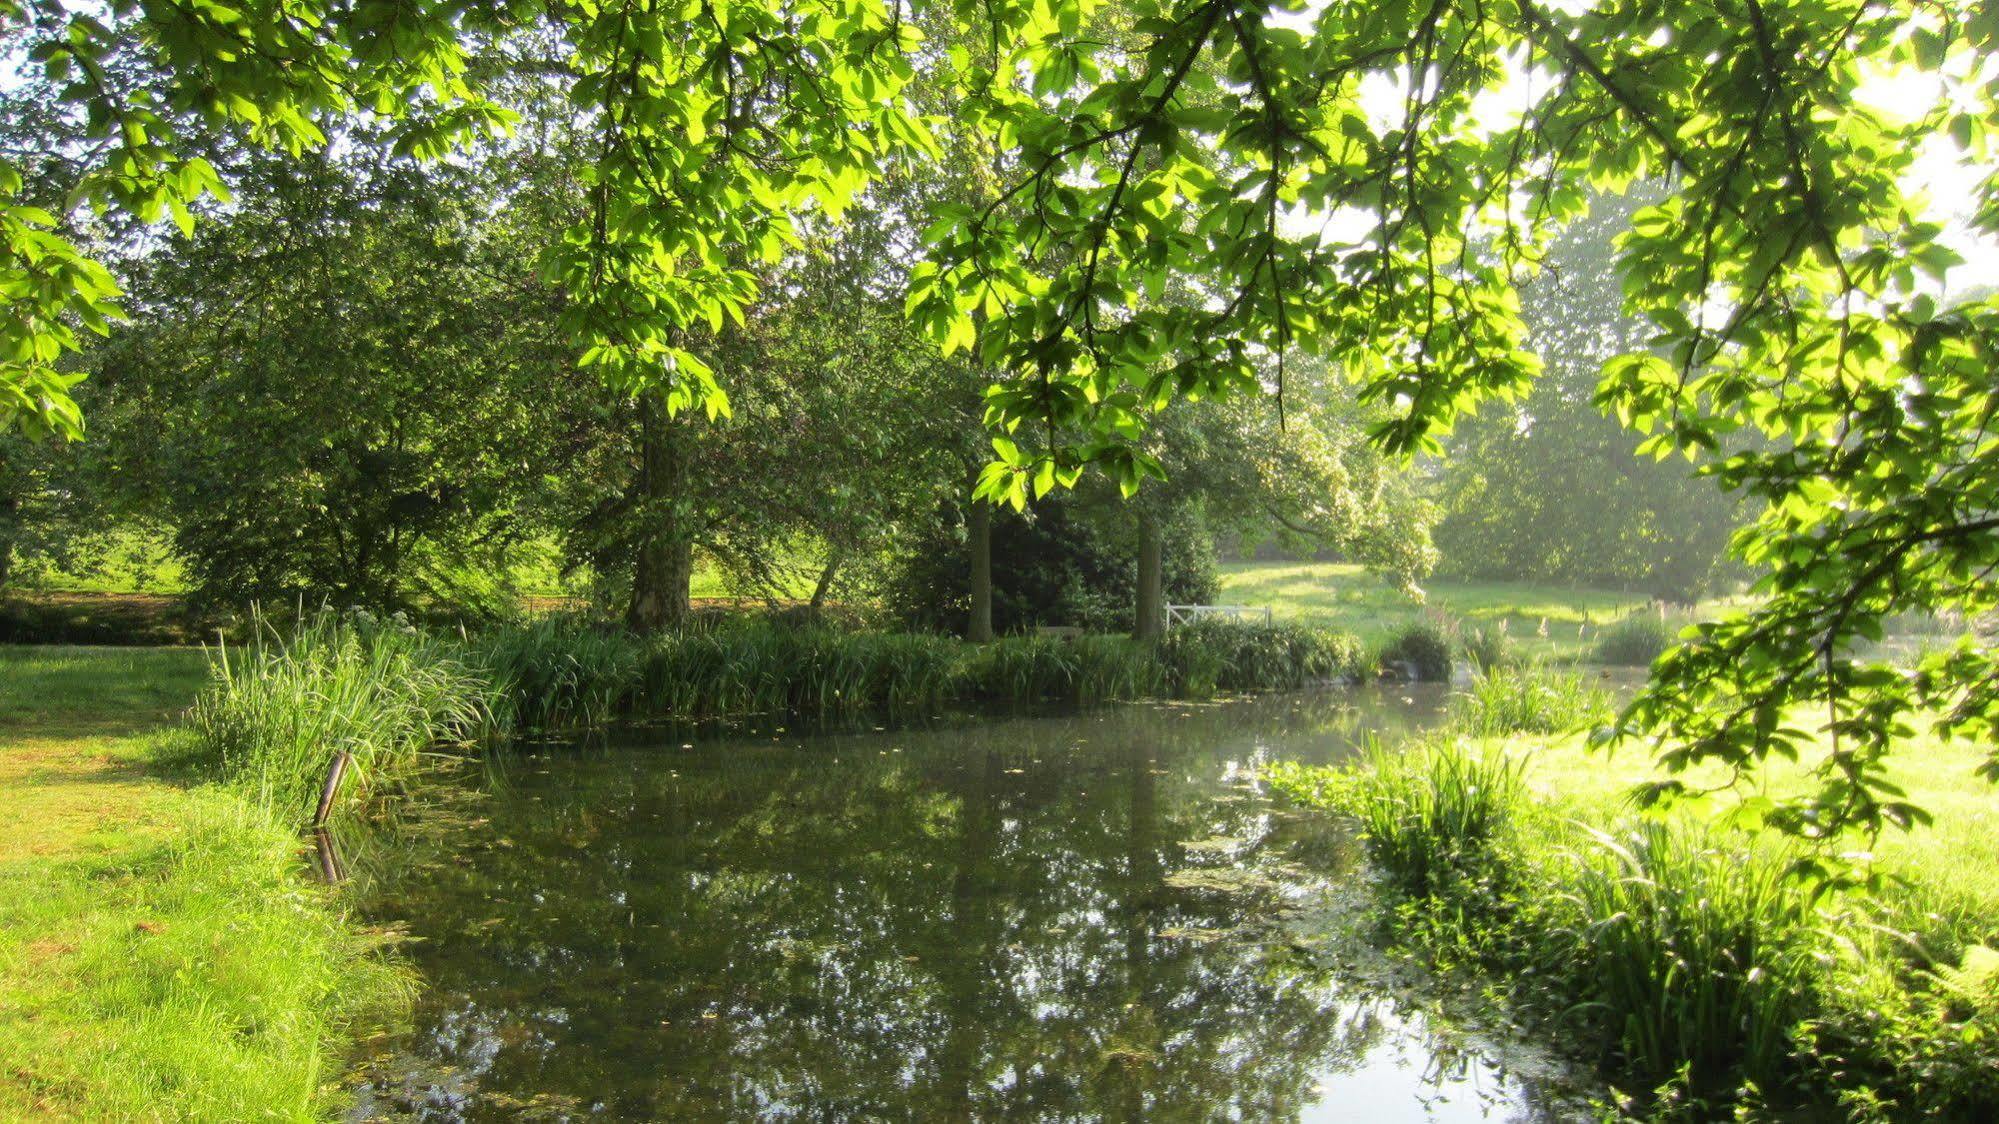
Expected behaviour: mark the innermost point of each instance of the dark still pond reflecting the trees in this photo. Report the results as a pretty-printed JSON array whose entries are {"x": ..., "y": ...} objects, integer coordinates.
[{"x": 1090, "y": 917}]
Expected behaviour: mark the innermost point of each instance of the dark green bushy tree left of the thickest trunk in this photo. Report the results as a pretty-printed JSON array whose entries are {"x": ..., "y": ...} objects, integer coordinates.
[{"x": 329, "y": 391}]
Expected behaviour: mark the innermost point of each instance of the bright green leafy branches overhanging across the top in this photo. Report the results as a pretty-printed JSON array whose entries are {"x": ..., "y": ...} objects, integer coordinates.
[{"x": 1184, "y": 193}]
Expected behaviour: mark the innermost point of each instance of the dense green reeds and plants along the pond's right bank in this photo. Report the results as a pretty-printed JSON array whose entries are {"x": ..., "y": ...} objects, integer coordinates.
[{"x": 1674, "y": 951}]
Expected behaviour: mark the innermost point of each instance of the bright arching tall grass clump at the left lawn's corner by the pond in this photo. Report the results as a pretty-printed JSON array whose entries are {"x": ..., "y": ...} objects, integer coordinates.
[{"x": 281, "y": 707}]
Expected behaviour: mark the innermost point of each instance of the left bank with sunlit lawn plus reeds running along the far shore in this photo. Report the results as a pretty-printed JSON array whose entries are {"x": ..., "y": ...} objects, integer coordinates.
[{"x": 163, "y": 953}]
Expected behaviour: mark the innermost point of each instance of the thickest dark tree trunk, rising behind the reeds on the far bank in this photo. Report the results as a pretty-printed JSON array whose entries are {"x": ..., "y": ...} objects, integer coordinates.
[{"x": 663, "y": 569}]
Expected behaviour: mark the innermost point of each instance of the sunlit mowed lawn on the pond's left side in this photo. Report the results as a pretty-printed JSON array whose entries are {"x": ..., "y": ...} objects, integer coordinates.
[{"x": 161, "y": 951}]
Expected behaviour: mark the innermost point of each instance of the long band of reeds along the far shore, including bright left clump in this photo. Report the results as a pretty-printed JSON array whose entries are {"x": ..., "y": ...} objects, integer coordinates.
[{"x": 385, "y": 693}]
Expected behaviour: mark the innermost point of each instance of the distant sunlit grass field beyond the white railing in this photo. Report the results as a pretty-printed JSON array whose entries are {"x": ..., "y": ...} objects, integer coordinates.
[{"x": 1352, "y": 599}]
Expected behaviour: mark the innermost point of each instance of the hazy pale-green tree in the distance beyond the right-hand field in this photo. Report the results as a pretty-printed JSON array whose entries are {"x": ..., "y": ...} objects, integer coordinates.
[{"x": 1552, "y": 489}]
